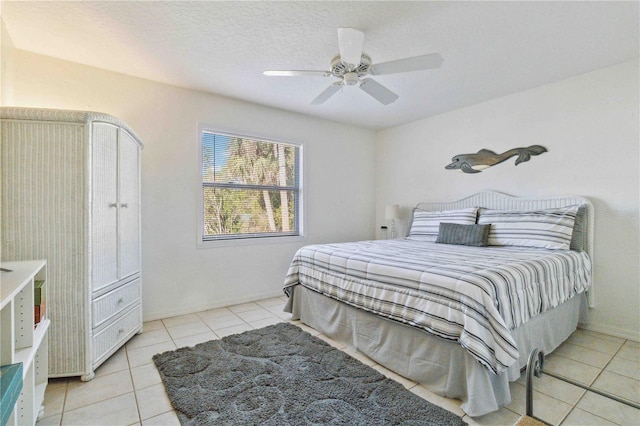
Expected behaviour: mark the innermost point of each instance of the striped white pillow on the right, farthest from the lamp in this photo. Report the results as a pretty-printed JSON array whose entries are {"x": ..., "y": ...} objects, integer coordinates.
[{"x": 548, "y": 228}]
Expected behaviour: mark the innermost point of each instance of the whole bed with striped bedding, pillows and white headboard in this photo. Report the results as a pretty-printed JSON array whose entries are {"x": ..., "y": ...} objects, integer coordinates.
[{"x": 459, "y": 303}]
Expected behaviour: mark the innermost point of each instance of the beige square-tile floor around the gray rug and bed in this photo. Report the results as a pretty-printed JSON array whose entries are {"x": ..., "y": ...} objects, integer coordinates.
[{"x": 127, "y": 389}]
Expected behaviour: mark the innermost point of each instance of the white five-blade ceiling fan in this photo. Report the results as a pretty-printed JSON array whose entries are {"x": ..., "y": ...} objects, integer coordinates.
[{"x": 352, "y": 66}]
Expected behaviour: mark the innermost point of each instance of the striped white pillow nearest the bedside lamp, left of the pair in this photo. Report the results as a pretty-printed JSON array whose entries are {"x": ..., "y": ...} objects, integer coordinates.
[{"x": 425, "y": 224}]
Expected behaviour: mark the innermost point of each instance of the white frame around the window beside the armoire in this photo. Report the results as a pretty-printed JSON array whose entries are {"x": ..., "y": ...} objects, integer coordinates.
[{"x": 231, "y": 240}]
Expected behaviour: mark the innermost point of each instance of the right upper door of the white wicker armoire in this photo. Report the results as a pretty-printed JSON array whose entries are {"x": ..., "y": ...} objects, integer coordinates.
[{"x": 129, "y": 205}]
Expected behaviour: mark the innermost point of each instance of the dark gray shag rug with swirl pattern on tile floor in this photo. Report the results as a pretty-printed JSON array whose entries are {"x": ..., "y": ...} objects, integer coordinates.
[{"x": 281, "y": 375}]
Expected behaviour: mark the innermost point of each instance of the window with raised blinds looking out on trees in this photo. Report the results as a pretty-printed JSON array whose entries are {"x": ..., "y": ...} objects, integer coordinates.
[{"x": 250, "y": 187}]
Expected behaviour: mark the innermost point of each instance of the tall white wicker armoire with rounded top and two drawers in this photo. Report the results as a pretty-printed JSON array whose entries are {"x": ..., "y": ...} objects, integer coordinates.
[{"x": 71, "y": 195}]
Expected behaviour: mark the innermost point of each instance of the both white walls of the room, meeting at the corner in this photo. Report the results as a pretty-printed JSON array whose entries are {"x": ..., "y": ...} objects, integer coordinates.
[{"x": 588, "y": 123}]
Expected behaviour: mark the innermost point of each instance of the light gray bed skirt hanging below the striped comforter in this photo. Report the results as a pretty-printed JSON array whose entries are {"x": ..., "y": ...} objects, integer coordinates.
[{"x": 442, "y": 366}]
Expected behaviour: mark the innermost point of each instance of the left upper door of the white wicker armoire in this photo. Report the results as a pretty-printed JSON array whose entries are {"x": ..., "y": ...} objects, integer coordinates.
[{"x": 104, "y": 205}]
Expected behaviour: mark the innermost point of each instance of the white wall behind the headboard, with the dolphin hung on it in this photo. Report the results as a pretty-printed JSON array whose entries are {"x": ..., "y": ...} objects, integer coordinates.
[{"x": 588, "y": 123}]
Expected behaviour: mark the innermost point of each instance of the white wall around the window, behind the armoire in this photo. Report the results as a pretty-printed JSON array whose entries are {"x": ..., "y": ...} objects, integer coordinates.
[{"x": 178, "y": 277}]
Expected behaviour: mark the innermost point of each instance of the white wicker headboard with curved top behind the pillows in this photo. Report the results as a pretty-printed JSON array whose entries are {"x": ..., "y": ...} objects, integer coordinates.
[{"x": 498, "y": 200}]
